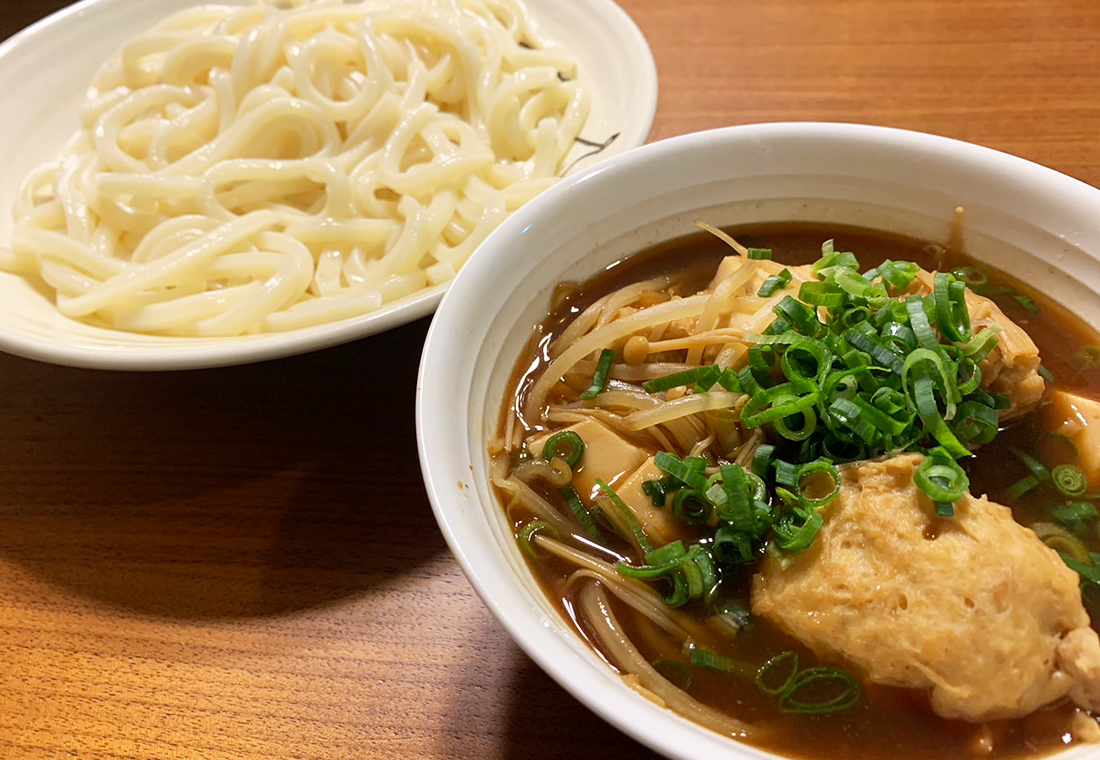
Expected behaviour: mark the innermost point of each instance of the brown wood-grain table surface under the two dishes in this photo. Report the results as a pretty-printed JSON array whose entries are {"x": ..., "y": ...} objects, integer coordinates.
[{"x": 243, "y": 564}]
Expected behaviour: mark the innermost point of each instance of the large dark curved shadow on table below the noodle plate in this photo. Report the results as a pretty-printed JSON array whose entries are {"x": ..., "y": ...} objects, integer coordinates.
[{"x": 219, "y": 494}]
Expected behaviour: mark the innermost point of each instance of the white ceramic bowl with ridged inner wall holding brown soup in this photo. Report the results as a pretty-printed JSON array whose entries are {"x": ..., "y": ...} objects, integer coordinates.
[{"x": 1031, "y": 222}]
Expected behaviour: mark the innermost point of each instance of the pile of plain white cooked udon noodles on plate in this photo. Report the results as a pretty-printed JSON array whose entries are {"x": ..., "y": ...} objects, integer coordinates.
[{"x": 272, "y": 168}]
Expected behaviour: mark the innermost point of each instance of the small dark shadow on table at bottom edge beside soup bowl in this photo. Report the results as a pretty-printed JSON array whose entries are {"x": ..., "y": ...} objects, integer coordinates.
[{"x": 546, "y": 723}]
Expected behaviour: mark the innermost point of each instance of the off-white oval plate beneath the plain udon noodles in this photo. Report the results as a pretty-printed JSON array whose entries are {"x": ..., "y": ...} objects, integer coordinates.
[{"x": 45, "y": 72}]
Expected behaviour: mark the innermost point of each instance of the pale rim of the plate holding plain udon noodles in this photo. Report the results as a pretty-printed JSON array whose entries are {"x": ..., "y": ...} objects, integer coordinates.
[{"x": 126, "y": 351}]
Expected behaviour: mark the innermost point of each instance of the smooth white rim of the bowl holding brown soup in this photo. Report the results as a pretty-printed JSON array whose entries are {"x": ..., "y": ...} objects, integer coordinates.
[{"x": 656, "y": 728}]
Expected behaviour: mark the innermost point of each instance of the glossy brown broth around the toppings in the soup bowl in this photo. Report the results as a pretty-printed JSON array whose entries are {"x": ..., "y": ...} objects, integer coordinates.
[{"x": 888, "y": 722}]
